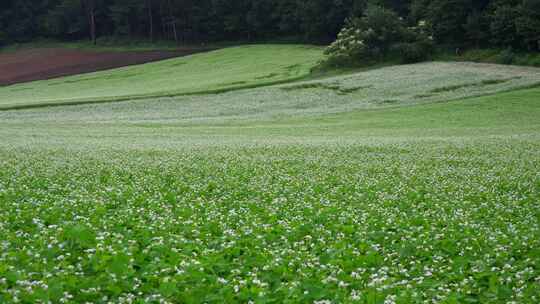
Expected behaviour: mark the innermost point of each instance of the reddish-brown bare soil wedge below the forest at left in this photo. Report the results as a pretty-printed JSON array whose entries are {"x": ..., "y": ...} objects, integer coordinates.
[{"x": 46, "y": 63}]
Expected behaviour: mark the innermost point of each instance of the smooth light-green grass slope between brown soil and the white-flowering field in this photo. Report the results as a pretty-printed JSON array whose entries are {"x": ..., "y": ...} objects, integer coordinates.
[{"x": 229, "y": 68}]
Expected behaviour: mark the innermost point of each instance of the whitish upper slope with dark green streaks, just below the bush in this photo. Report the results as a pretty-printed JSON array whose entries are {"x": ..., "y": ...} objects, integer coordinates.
[{"x": 380, "y": 88}]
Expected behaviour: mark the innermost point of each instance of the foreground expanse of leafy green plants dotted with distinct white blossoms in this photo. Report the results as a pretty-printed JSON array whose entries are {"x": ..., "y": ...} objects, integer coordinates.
[{"x": 426, "y": 222}]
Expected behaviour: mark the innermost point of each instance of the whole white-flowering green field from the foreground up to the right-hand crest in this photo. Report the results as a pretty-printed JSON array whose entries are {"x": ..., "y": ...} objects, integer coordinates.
[{"x": 407, "y": 184}]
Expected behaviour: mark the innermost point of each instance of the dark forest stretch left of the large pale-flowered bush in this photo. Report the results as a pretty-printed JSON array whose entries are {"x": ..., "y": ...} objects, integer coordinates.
[{"x": 181, "y": 20}]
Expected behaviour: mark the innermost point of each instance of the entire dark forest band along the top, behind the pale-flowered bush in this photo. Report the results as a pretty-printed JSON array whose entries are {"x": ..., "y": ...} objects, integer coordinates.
[{"x": 482, "y": 23}]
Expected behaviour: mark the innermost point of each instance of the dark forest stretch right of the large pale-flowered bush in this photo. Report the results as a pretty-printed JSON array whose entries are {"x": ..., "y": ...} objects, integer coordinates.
[{"x": 481, "y": 23}]
